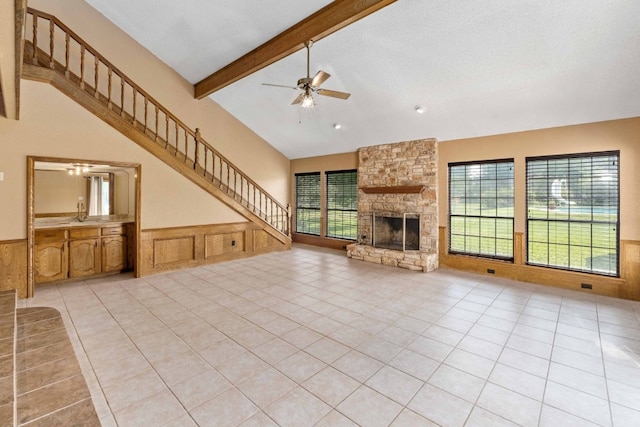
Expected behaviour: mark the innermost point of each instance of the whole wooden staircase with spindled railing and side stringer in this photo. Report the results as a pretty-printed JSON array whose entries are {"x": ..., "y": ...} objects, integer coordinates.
[{"x": 56, "y": 55}]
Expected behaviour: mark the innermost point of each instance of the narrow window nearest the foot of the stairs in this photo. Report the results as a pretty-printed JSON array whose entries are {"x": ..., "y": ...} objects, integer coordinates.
[{"x": 308, "y": 203}]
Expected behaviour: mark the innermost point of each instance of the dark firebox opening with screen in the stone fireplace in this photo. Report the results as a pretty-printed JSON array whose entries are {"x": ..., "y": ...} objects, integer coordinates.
[{"x": 399, "y": 232}]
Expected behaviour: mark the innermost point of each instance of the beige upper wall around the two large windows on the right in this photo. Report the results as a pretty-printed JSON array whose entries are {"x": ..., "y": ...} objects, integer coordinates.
[{"x": 623, "y": 135}]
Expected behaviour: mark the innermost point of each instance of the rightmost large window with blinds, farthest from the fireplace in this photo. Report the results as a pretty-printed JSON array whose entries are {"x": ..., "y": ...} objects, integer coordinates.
[{"x": 572, "y": 212}]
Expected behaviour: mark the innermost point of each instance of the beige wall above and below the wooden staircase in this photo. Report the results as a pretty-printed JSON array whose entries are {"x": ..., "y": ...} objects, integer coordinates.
[{"x": 52, "y": 125}]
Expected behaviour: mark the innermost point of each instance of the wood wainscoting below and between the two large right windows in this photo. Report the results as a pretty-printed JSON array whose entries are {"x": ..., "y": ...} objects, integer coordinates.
[{"x": 627, "y": 286}]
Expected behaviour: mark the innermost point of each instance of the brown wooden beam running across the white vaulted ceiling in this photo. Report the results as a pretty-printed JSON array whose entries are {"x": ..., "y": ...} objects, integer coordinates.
[{"x": 327, "y": 20}]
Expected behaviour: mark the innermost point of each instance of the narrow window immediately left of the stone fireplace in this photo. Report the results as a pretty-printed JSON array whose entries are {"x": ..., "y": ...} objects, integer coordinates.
[{"x": 342, "y": 204}]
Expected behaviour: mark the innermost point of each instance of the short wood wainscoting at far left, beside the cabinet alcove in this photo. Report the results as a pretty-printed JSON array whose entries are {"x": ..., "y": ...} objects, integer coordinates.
[{"x": 13, "y": 266}]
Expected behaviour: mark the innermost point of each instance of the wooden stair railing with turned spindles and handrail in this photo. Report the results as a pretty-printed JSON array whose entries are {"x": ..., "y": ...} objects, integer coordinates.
[{"x": 165, "y": 128}]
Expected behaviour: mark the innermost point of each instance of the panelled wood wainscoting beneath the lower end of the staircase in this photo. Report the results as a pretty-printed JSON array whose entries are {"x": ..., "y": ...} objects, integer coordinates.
[{"x": 183, "y": 247}]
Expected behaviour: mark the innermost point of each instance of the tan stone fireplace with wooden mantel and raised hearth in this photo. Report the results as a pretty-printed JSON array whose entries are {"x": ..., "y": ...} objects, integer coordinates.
[{"x": 398, "y": 205}]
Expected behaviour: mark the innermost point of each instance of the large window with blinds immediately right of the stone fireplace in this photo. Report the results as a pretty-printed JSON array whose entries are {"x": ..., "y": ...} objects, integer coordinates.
[{"x": 481, "y": 208}]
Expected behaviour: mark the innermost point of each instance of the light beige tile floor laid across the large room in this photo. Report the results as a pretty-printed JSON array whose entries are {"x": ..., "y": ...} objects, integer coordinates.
[{"x": 309, "y": 337}]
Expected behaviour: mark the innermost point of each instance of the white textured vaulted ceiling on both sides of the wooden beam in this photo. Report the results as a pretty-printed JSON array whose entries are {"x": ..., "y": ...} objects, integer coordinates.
[{"x": 478, "y": 67}]
